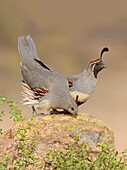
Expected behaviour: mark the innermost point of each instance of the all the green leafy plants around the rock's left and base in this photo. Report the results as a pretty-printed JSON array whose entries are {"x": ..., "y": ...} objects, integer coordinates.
[{"x": 105, "y": 157}]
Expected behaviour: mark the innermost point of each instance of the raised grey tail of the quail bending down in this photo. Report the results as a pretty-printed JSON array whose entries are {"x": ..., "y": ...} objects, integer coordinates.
[{"x": 27, "y": 48}]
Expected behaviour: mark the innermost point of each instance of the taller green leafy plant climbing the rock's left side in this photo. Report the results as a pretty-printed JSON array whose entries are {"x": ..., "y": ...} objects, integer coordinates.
[{"x": 26, "y": 144}]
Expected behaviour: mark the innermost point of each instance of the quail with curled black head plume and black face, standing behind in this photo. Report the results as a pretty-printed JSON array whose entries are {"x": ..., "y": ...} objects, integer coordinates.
[{"x": 82, "y": 85}]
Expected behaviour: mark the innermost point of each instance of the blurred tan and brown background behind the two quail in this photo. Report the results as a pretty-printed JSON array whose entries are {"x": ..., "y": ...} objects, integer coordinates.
[{"x": 69, "y": 34}]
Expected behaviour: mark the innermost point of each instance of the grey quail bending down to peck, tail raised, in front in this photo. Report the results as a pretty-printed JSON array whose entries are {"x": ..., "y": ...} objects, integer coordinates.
[{"x": 44, "y": 87}]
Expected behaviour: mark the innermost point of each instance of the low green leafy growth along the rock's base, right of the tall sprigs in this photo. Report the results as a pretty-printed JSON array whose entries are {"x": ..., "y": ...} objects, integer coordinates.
[{"x": 82, "y": 158}]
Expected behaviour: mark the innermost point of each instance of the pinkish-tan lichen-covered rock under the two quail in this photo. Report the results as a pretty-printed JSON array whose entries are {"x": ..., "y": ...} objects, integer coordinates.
[{"x": 58, "y": 132}]
